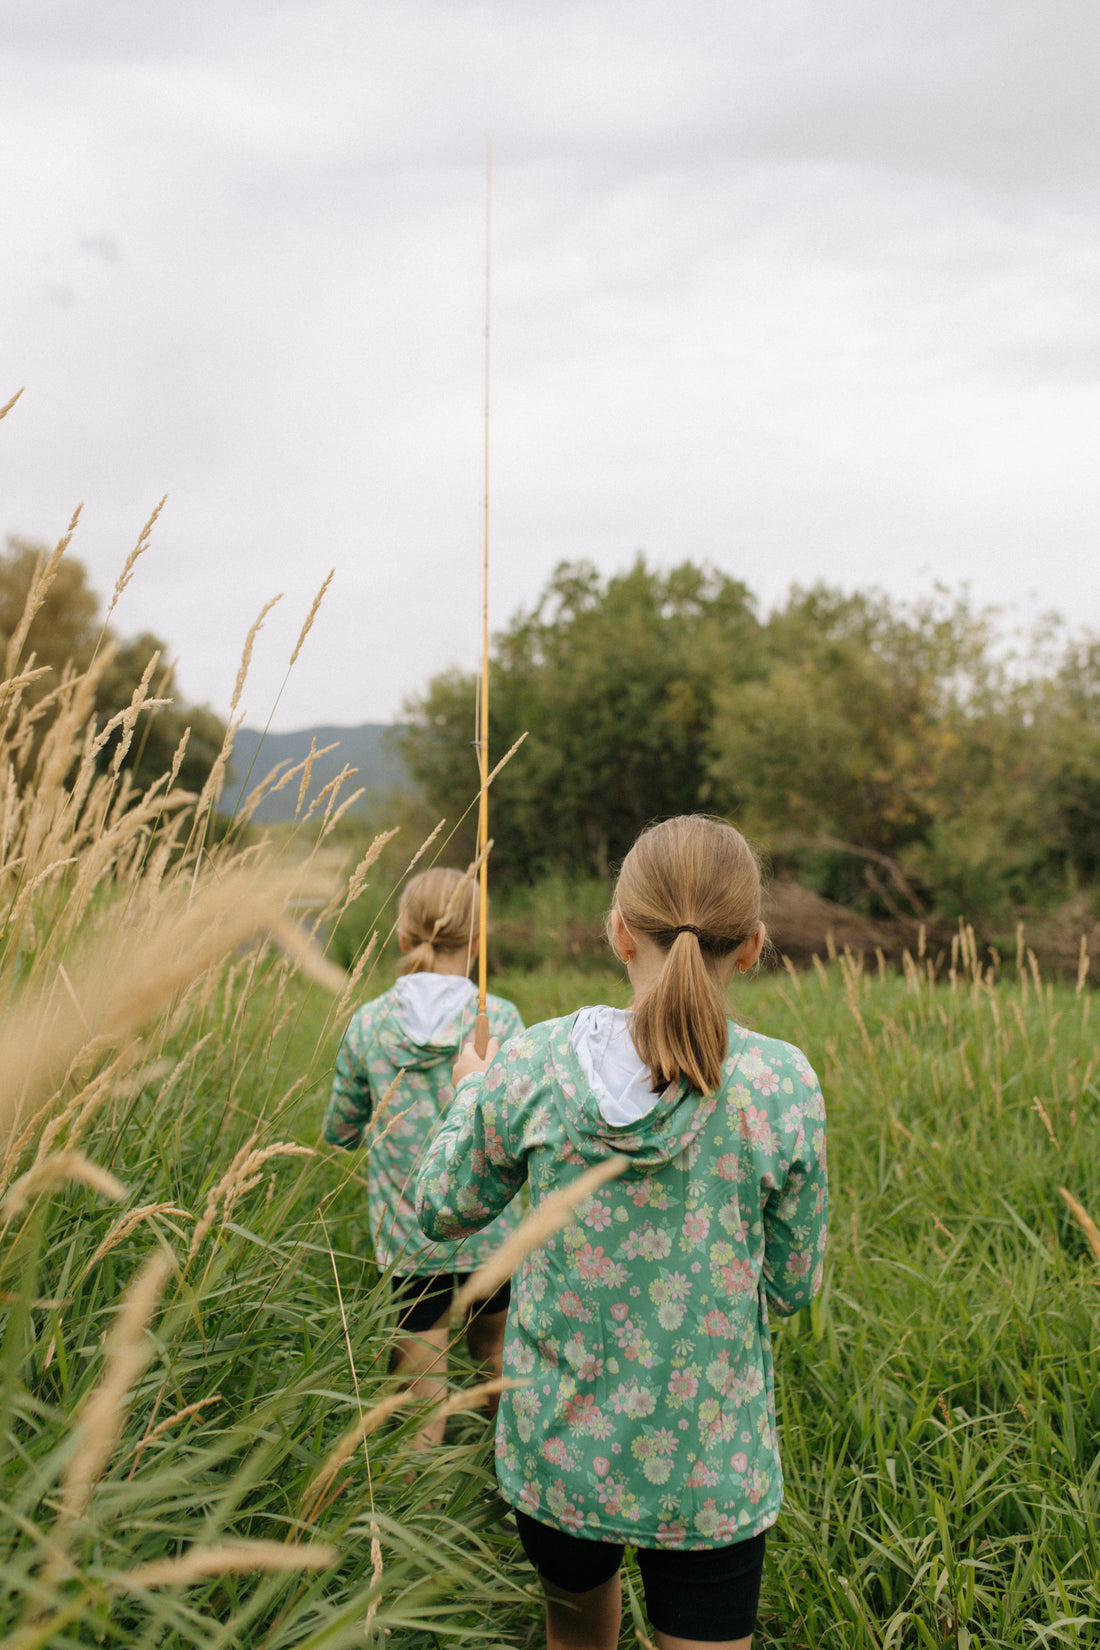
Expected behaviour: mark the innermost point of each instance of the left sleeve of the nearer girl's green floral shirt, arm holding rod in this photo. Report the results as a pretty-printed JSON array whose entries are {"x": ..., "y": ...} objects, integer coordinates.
[{"x": 471, "y": 1169}]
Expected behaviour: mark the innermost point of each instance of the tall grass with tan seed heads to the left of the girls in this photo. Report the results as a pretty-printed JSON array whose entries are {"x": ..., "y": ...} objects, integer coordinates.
[{"x": 189, "y": 1314}]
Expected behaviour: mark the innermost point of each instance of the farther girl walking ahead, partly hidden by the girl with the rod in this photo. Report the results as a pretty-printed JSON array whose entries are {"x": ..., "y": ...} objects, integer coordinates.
[{"x": 416, "y": 1030}]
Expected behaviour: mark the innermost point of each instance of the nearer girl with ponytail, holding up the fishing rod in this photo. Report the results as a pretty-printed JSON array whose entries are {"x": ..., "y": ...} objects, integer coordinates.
[{"x": 642, "y": 1329}]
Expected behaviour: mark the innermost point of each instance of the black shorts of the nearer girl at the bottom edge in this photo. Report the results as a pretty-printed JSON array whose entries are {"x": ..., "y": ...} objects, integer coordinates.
[{"x": 712, "y": 1595}]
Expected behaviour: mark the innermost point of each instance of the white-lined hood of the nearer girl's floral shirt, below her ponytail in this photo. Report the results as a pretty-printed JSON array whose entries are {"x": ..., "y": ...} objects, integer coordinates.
[{"x": 608, "y": 1101}]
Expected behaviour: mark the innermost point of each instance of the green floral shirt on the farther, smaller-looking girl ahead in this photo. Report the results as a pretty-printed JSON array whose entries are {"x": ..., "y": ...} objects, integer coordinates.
[{"x": 377, "y": 1047}]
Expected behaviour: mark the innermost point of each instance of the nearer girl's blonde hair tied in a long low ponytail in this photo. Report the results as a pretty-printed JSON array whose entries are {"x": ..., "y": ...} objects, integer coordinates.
[{"x": 693, "y": 887}]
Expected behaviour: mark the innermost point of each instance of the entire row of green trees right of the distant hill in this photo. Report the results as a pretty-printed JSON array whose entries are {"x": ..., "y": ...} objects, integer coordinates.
[{"x": 905, "y": 758}]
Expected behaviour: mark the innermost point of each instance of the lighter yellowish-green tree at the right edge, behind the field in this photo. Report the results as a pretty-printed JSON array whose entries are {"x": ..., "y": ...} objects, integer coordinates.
[{"x": 901, "y": 757}]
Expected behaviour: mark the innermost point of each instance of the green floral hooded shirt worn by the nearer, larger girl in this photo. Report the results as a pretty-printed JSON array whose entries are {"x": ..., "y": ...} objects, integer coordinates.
[{"x": 642, "y": 1327}]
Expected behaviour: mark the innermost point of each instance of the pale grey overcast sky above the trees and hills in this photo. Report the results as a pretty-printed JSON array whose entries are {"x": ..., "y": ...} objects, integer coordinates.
[{"x": 807, "y": 291}]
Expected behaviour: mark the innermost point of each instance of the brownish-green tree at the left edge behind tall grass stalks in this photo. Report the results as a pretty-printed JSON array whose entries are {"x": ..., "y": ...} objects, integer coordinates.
[{"x": 68, "y": 631}]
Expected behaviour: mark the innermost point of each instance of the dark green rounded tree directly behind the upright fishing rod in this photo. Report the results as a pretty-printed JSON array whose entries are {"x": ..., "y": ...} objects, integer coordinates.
[{"x": 614, "y": 686}]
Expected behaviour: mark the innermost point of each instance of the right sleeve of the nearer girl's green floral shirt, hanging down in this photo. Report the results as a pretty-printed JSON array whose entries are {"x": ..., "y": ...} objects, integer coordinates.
[{"x": 796, "y": 1214}]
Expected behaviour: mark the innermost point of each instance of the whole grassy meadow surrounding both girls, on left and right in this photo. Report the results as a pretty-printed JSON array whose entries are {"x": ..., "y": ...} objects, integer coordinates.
[{"x": 202, "y": 1443}]
